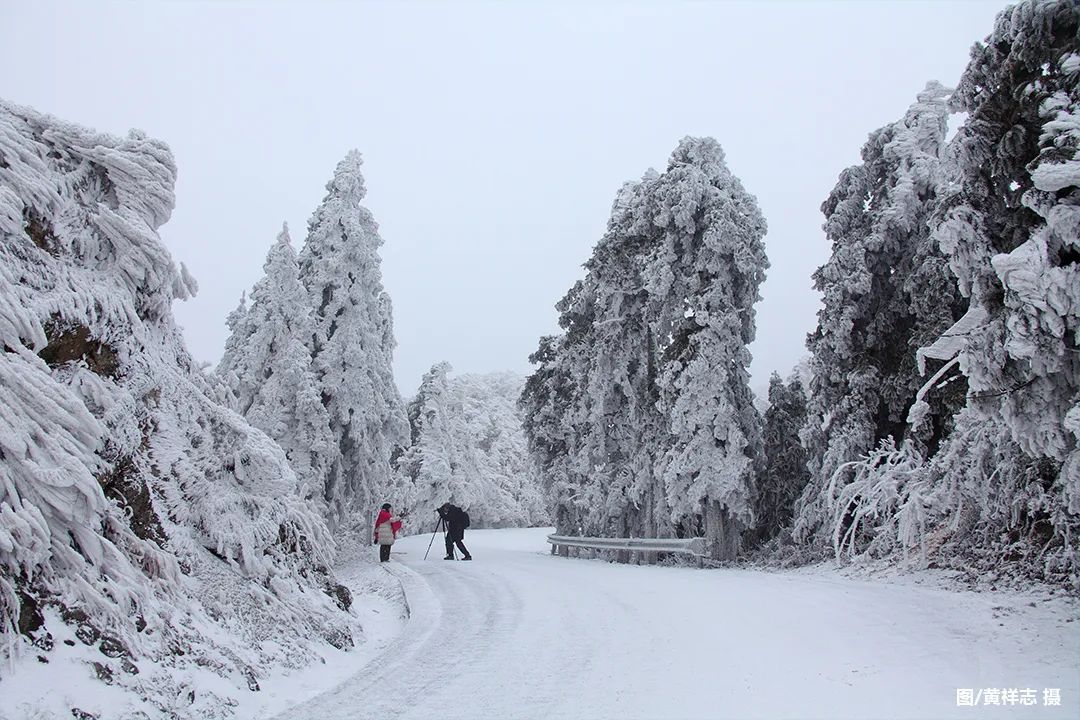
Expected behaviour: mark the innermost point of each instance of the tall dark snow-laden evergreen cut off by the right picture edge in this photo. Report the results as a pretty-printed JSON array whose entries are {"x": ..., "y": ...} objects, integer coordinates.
[{"x": 1011, "y": 229}]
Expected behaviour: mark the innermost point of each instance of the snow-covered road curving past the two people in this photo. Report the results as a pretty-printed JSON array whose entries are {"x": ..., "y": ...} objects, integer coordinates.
[{"x": 522, "y": 634}]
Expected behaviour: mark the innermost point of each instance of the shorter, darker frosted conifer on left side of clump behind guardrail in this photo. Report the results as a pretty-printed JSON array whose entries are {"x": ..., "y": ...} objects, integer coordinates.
[{"x": 599, "y": 407}]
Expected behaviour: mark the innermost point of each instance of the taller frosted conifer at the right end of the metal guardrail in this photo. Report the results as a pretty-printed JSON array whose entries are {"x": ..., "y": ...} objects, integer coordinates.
[{"x": 704, "y": 282}]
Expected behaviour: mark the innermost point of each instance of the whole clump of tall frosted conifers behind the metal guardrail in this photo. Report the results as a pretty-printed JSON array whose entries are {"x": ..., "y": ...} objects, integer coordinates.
[{"x": 640, "y": 416}]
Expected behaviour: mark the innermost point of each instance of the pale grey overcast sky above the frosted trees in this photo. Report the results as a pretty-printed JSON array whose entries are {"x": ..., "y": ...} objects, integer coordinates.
[{"x": 495, "y": 135}]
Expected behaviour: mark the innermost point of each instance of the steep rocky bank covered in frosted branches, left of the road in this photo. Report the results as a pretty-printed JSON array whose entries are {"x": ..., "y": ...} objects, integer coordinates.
[{"x": 137, "y": 510}]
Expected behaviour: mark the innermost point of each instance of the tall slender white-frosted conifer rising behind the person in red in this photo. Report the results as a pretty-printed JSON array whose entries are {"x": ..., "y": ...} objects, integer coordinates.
[{"x": 353, "y": 346}]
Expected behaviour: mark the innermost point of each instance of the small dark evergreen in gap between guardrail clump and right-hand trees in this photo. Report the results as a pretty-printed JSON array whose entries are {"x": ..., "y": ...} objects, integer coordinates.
[{"x": 785, "y": 476}]
